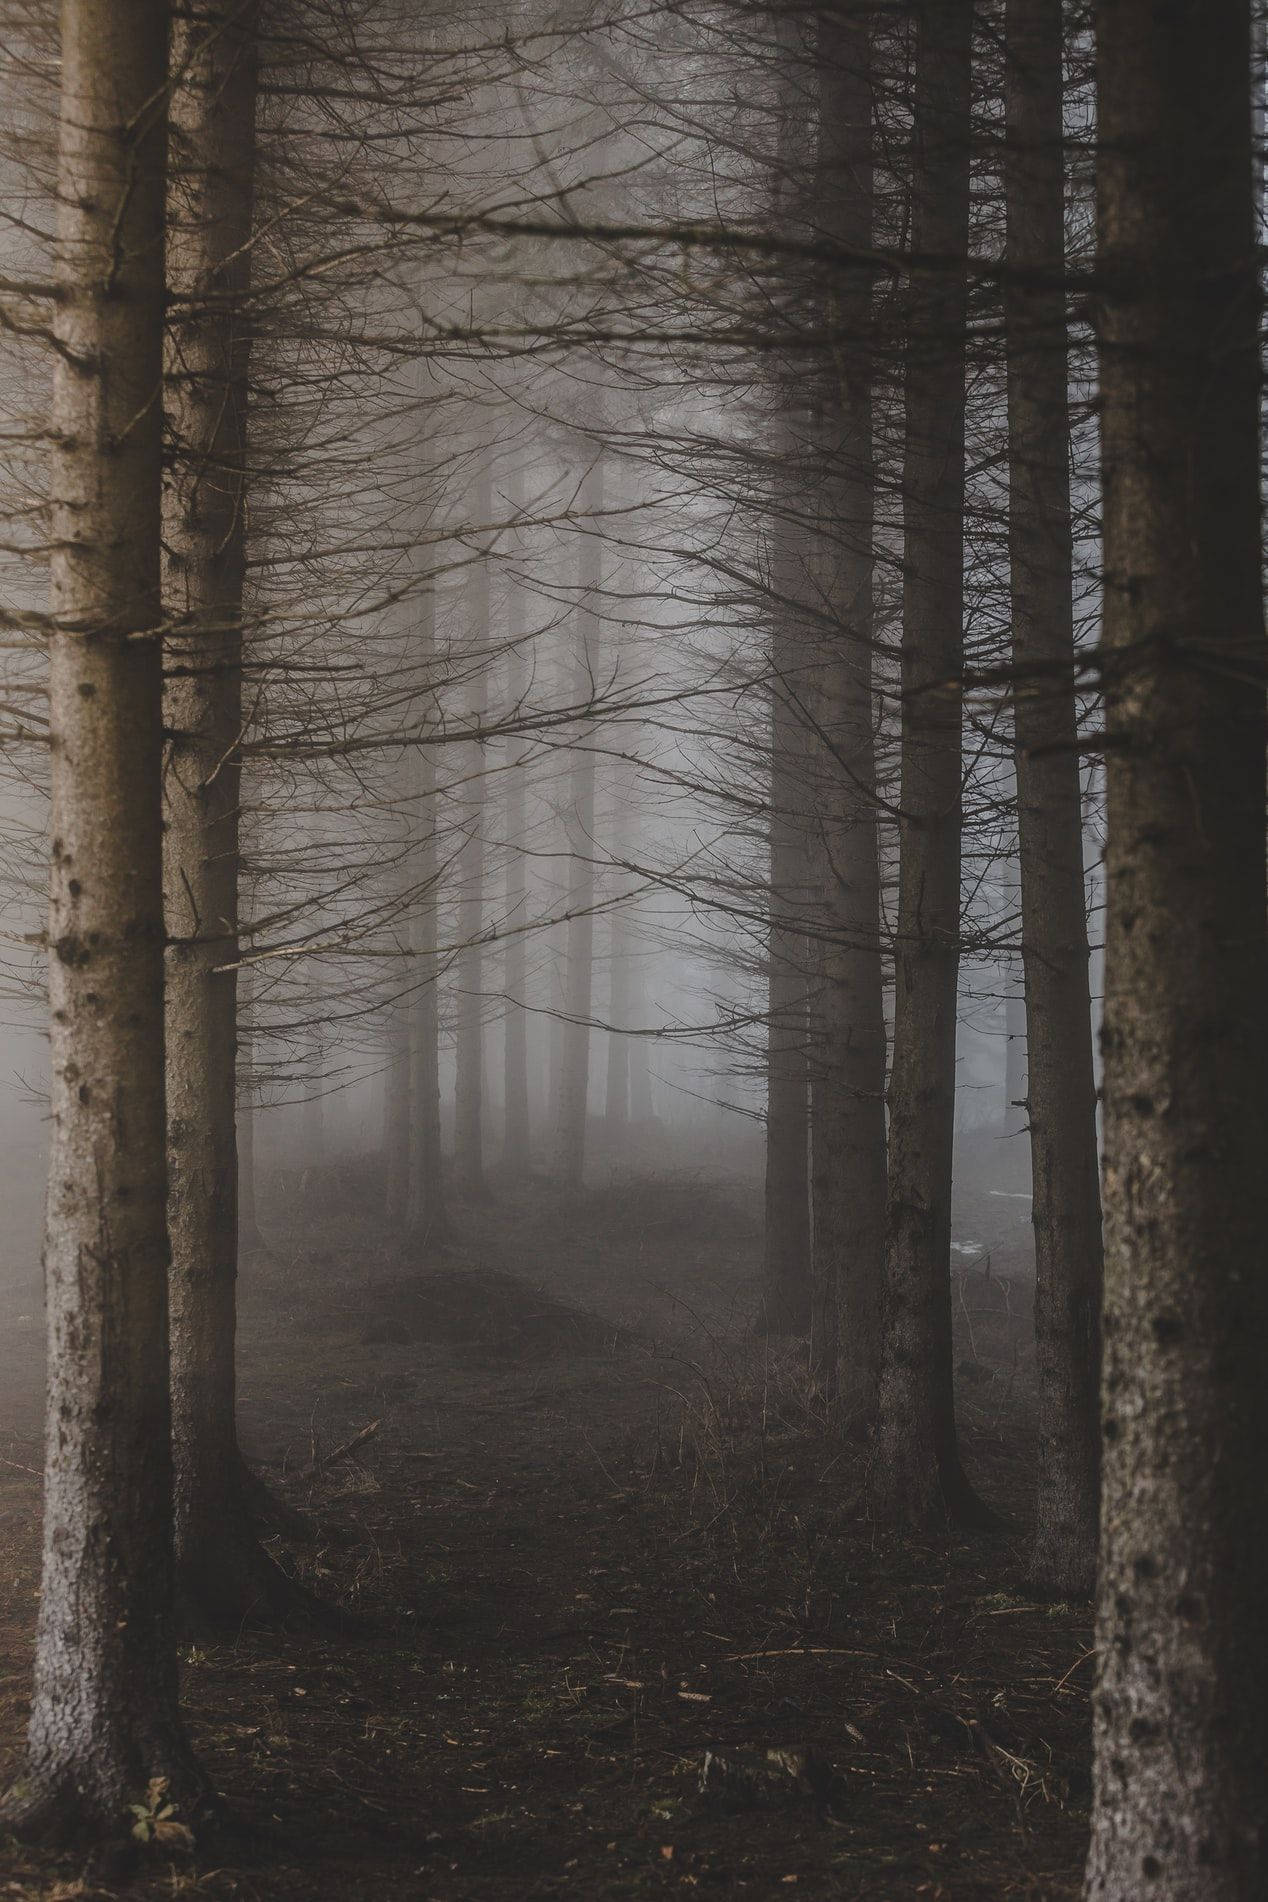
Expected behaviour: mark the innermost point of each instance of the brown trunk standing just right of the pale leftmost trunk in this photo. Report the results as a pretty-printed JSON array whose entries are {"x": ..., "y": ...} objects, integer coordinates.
[{"x": 221, "y": 1566}]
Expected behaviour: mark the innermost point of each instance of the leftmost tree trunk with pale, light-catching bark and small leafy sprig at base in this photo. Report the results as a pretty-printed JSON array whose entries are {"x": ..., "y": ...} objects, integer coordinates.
[{"x": 104, "y": 1718}]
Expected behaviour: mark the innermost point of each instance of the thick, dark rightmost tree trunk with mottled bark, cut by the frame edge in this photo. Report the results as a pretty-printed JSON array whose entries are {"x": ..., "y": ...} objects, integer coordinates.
[{"x": 1182, "y": 1703}]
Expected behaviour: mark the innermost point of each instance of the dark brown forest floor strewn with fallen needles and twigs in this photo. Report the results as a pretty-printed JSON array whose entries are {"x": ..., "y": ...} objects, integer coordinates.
[{"x": 604, "y": 1540}]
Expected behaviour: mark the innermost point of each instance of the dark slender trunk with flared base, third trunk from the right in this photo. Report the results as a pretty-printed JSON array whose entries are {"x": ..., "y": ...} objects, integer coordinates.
[{"x": 917, "y": 1473}]
